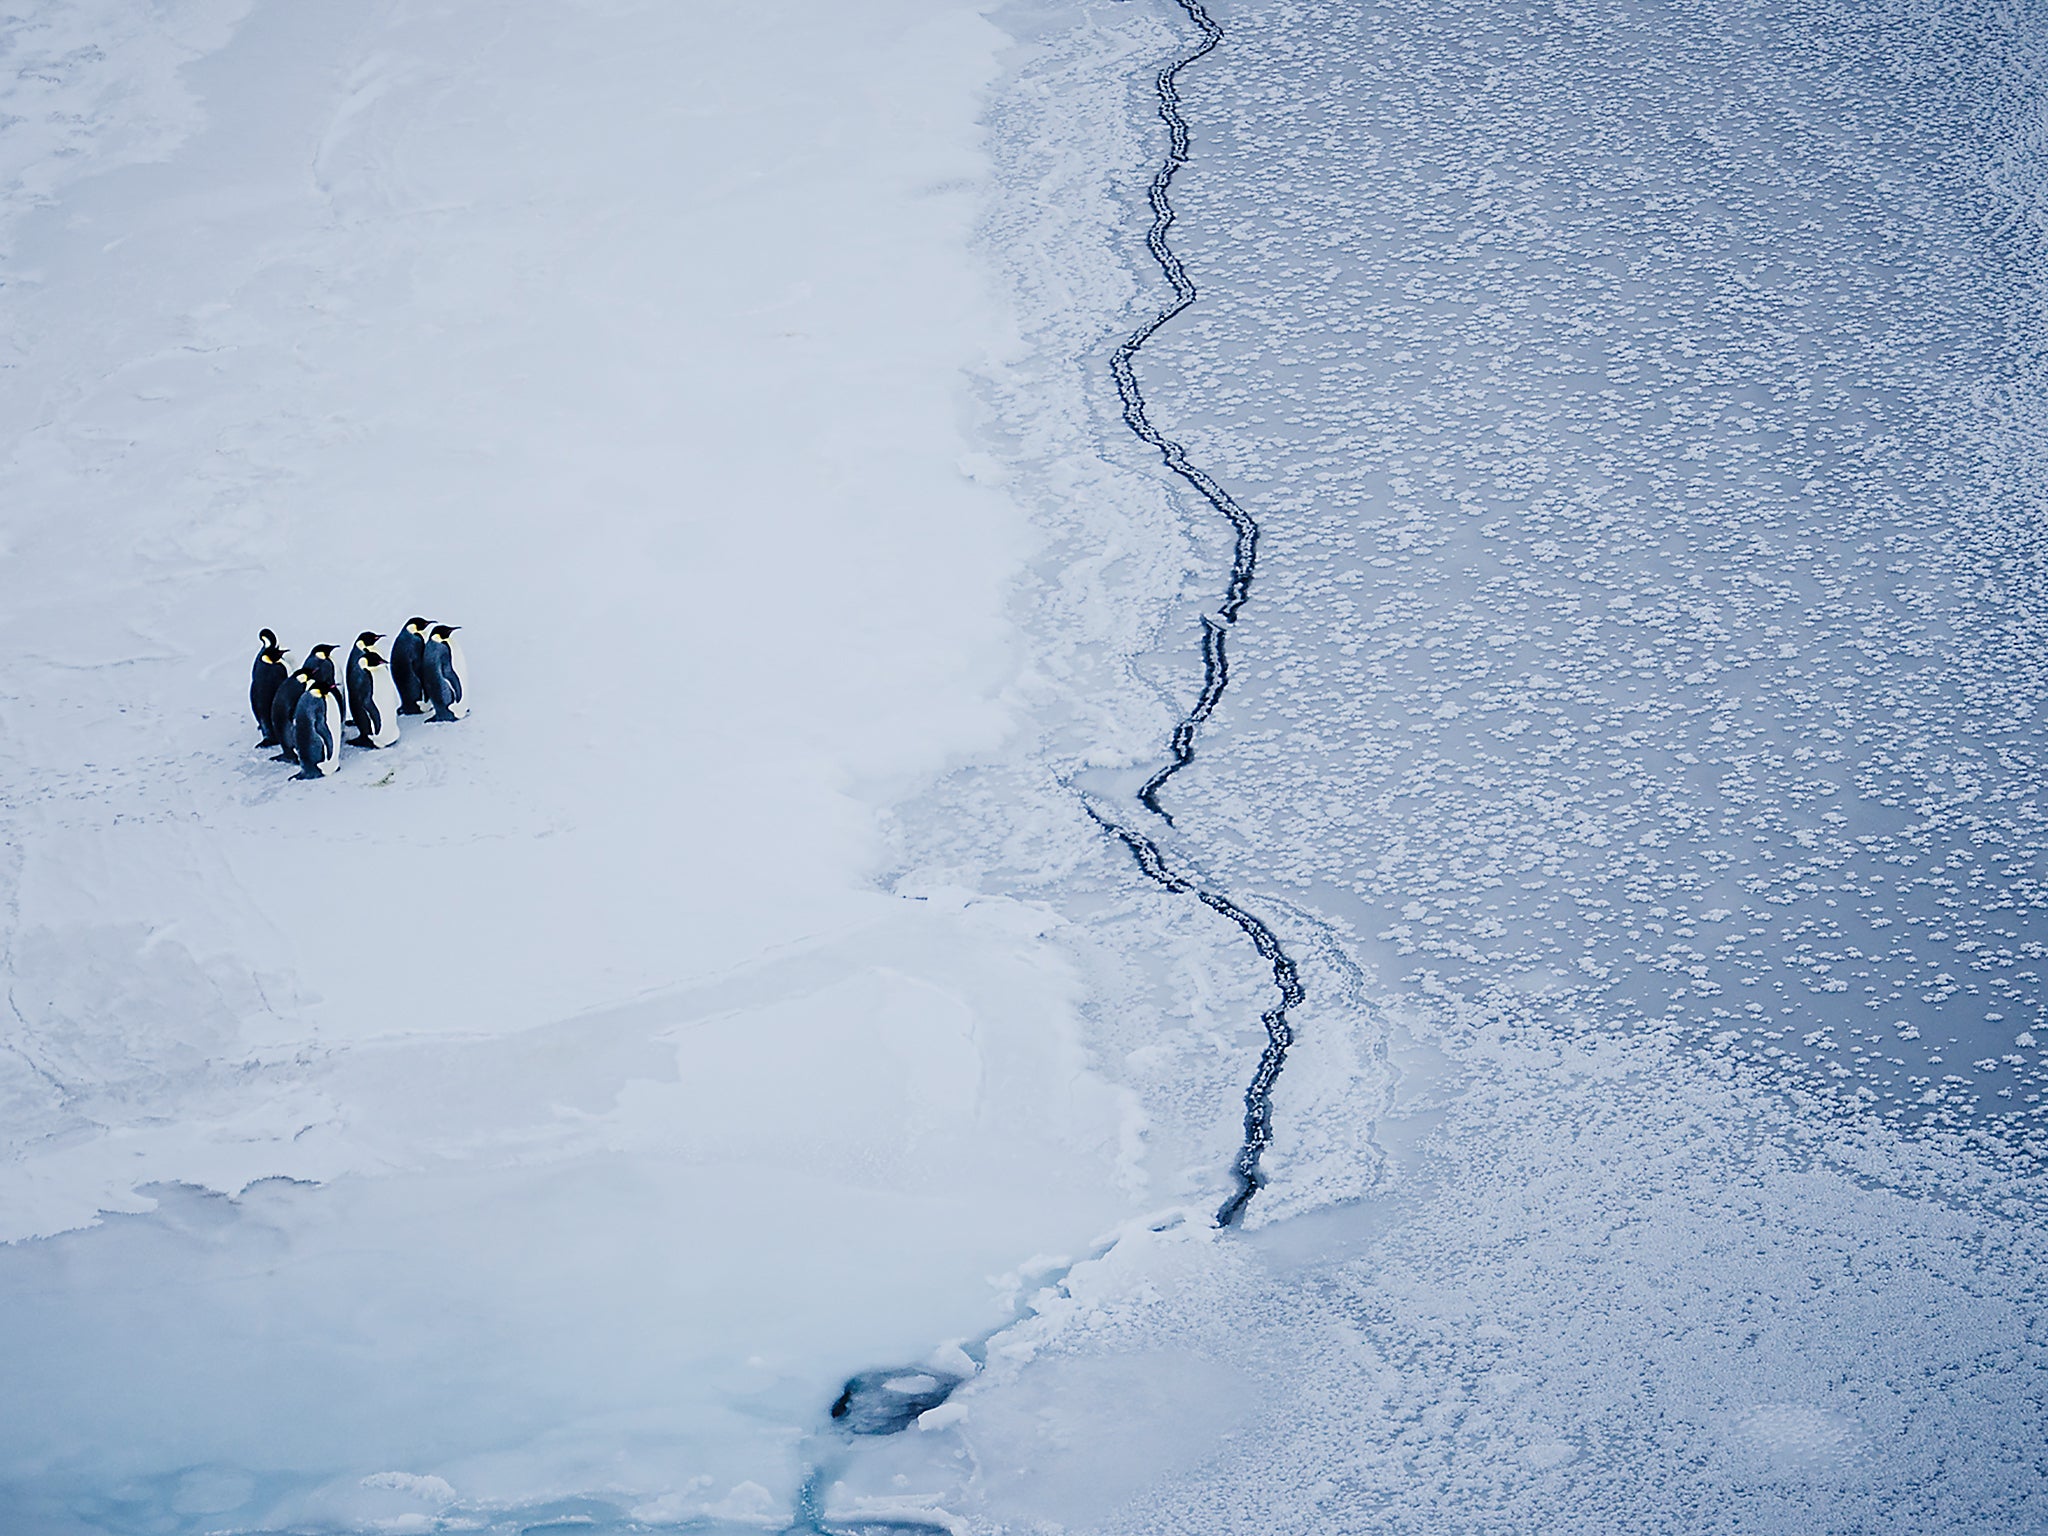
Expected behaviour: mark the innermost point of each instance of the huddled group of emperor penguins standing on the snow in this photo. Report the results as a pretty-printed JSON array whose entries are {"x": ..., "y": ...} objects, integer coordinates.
[{"x": 302, "y": 710}]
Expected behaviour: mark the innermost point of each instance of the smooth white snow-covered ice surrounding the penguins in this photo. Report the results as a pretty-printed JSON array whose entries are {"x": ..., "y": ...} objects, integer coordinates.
[{"x": 554, "y": 1103}]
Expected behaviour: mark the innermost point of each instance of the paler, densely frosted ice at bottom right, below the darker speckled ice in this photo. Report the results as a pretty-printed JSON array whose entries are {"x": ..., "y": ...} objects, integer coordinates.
[{"x": 1609, "y": 1297}]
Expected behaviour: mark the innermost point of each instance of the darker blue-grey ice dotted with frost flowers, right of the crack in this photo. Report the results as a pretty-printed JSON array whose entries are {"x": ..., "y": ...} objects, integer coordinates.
[{"x": 1641, "y": 407}]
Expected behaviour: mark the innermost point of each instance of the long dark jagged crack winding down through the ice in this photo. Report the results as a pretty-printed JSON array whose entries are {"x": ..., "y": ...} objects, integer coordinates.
[{"x": 1215, "y": 632}]
